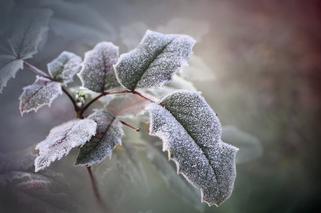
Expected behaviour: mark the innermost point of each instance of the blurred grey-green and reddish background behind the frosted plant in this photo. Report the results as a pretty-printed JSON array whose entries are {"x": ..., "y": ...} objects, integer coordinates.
[{"x": 258, "y": 64}]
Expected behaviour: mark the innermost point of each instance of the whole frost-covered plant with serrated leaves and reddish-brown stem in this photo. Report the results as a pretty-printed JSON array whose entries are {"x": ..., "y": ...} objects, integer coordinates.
[{"x": 188, "y": 127}]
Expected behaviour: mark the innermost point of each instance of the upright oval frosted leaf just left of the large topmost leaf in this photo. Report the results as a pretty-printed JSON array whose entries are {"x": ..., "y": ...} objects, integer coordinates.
[{"x": 98, "y": 72}]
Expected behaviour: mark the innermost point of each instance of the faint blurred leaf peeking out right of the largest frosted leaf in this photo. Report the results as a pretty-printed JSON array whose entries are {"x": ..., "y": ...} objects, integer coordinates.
[{"x": 250, "y": 146}]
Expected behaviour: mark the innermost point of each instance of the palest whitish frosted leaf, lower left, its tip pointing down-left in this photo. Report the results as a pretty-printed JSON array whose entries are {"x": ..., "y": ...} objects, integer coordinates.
[{"x": 62, "y": 139}]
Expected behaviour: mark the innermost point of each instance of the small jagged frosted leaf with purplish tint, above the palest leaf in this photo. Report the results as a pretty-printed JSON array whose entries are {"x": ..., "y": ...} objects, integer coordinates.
[{"x": 42, "y": 92}]
